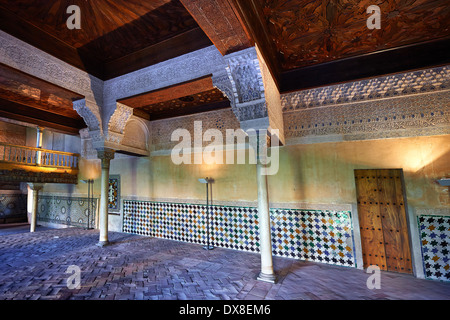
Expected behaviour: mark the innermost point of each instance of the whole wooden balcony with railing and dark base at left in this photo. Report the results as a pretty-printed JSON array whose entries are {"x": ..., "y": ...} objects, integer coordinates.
[{"x": 27, "y": 164}]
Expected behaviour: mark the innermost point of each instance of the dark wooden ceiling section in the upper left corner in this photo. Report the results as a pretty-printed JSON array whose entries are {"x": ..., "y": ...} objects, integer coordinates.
[{"x": 116, "y": 36}]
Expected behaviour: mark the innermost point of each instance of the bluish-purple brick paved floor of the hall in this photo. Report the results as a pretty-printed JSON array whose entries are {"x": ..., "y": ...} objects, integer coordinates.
[{"x": 33, "y": 266}]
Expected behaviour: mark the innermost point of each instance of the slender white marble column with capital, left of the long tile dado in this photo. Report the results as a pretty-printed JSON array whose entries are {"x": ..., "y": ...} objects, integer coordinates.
[{"x": 105, "y": 155}]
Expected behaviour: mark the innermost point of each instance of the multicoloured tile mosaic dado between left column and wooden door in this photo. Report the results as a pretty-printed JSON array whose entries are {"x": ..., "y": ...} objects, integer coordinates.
[{"x": 322, "y": 236}]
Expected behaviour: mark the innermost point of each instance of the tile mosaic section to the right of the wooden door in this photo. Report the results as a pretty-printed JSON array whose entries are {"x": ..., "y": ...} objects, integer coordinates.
[{"x": 435, "y": 234}]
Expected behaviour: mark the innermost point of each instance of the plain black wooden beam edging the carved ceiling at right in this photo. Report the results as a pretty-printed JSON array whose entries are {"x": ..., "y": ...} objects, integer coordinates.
[{"x": 401, "y": 59}]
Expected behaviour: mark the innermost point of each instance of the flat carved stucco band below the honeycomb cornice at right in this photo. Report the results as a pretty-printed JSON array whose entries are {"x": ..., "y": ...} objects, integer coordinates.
[{"x": 408, "y": 116}]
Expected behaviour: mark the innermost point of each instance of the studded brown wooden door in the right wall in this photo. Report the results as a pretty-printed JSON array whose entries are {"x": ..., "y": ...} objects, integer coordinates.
[{"x": 382, "y": 218}]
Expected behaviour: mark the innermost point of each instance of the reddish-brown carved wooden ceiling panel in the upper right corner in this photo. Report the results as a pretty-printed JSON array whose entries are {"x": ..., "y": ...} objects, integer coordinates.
[{"x": 308, "y": 32}]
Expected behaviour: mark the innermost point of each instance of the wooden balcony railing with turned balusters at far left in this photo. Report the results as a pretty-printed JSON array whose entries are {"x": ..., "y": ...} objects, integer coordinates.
[{"x": 38, "y": 157}]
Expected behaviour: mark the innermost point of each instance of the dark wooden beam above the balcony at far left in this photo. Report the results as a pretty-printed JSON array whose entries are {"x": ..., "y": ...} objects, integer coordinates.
[{"x": 19, "y": 112}]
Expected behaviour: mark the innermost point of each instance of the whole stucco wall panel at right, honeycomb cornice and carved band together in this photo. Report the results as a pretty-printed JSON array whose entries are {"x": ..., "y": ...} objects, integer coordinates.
[{"x": 402, "y": 105}]
